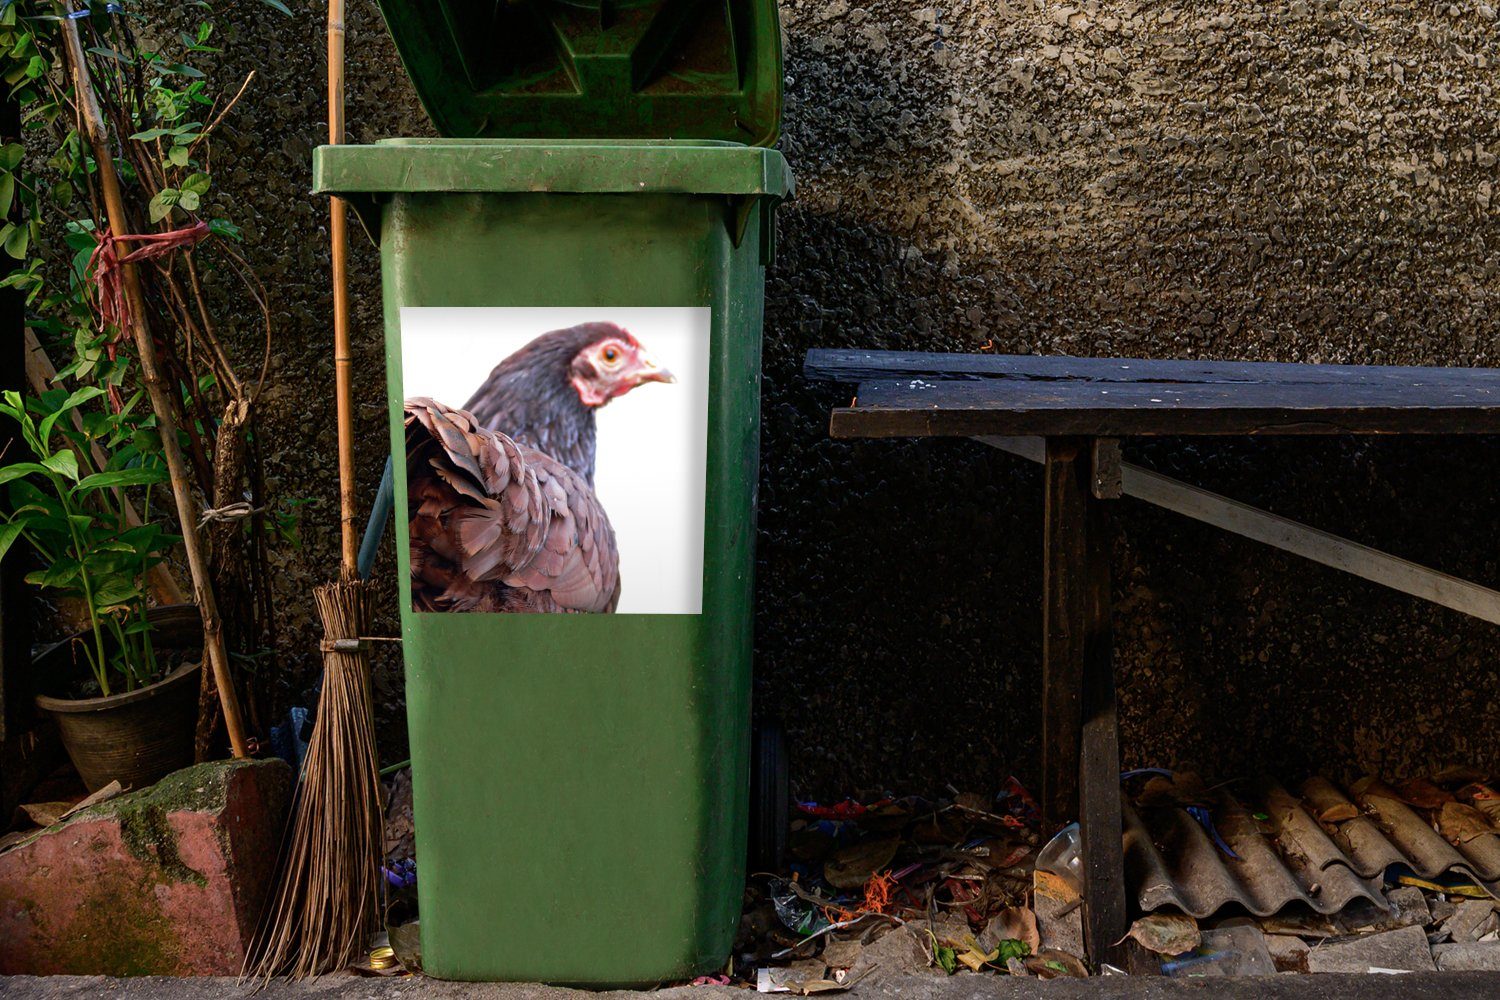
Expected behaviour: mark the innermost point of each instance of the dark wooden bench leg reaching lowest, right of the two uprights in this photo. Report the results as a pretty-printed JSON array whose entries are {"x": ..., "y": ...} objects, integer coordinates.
[{"x": 1105, "y": 908}]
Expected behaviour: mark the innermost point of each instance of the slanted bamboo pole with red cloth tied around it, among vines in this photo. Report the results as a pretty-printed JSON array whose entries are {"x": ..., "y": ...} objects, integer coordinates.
[{"x": 161, "y": 401}]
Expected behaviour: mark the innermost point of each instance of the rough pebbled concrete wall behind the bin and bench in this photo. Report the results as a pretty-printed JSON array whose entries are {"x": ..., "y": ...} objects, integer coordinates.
[{"x": 1306, "y": 182}]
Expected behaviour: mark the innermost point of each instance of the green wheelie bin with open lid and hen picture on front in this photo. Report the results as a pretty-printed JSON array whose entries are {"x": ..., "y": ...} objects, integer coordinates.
[{"x": 574, "y": 289}]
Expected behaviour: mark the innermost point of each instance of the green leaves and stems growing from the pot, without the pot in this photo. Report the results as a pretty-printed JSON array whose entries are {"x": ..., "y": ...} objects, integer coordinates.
[{"x": 79, "y": 521}]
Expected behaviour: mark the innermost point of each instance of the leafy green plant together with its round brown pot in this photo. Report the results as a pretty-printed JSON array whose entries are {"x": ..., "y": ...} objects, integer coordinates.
[{"x": 124, "y": 701}]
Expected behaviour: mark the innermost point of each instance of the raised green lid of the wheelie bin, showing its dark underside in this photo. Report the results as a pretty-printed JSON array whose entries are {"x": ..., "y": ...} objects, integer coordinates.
[{"x": 650, "y": 70}]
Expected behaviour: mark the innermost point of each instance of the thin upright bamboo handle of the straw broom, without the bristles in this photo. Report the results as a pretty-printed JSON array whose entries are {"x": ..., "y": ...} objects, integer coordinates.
[{"x": 340, "y": 256}]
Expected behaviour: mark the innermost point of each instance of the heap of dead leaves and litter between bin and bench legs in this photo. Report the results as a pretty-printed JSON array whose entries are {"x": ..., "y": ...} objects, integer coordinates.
[{"x": 902, "y": 885}]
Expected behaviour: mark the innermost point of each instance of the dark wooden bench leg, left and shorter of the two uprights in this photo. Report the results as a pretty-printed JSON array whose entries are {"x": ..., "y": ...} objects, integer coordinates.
[{"x": 1064, "y": 590}]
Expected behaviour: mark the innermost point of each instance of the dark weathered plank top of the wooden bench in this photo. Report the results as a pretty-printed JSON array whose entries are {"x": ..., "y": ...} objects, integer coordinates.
[{"x": 964, "y": 395}]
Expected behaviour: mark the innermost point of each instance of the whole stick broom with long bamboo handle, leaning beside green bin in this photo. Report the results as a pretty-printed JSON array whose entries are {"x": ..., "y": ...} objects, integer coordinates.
[{"x": 328, "y": 902}]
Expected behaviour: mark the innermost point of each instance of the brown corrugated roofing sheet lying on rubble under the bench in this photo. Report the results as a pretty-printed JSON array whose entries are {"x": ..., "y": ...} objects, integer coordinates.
[{"x": 1324, "y": 849}]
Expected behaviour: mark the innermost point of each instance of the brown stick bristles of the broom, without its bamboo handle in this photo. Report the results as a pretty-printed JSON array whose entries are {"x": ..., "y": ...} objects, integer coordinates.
[{"x": 329, "y": 890}]
